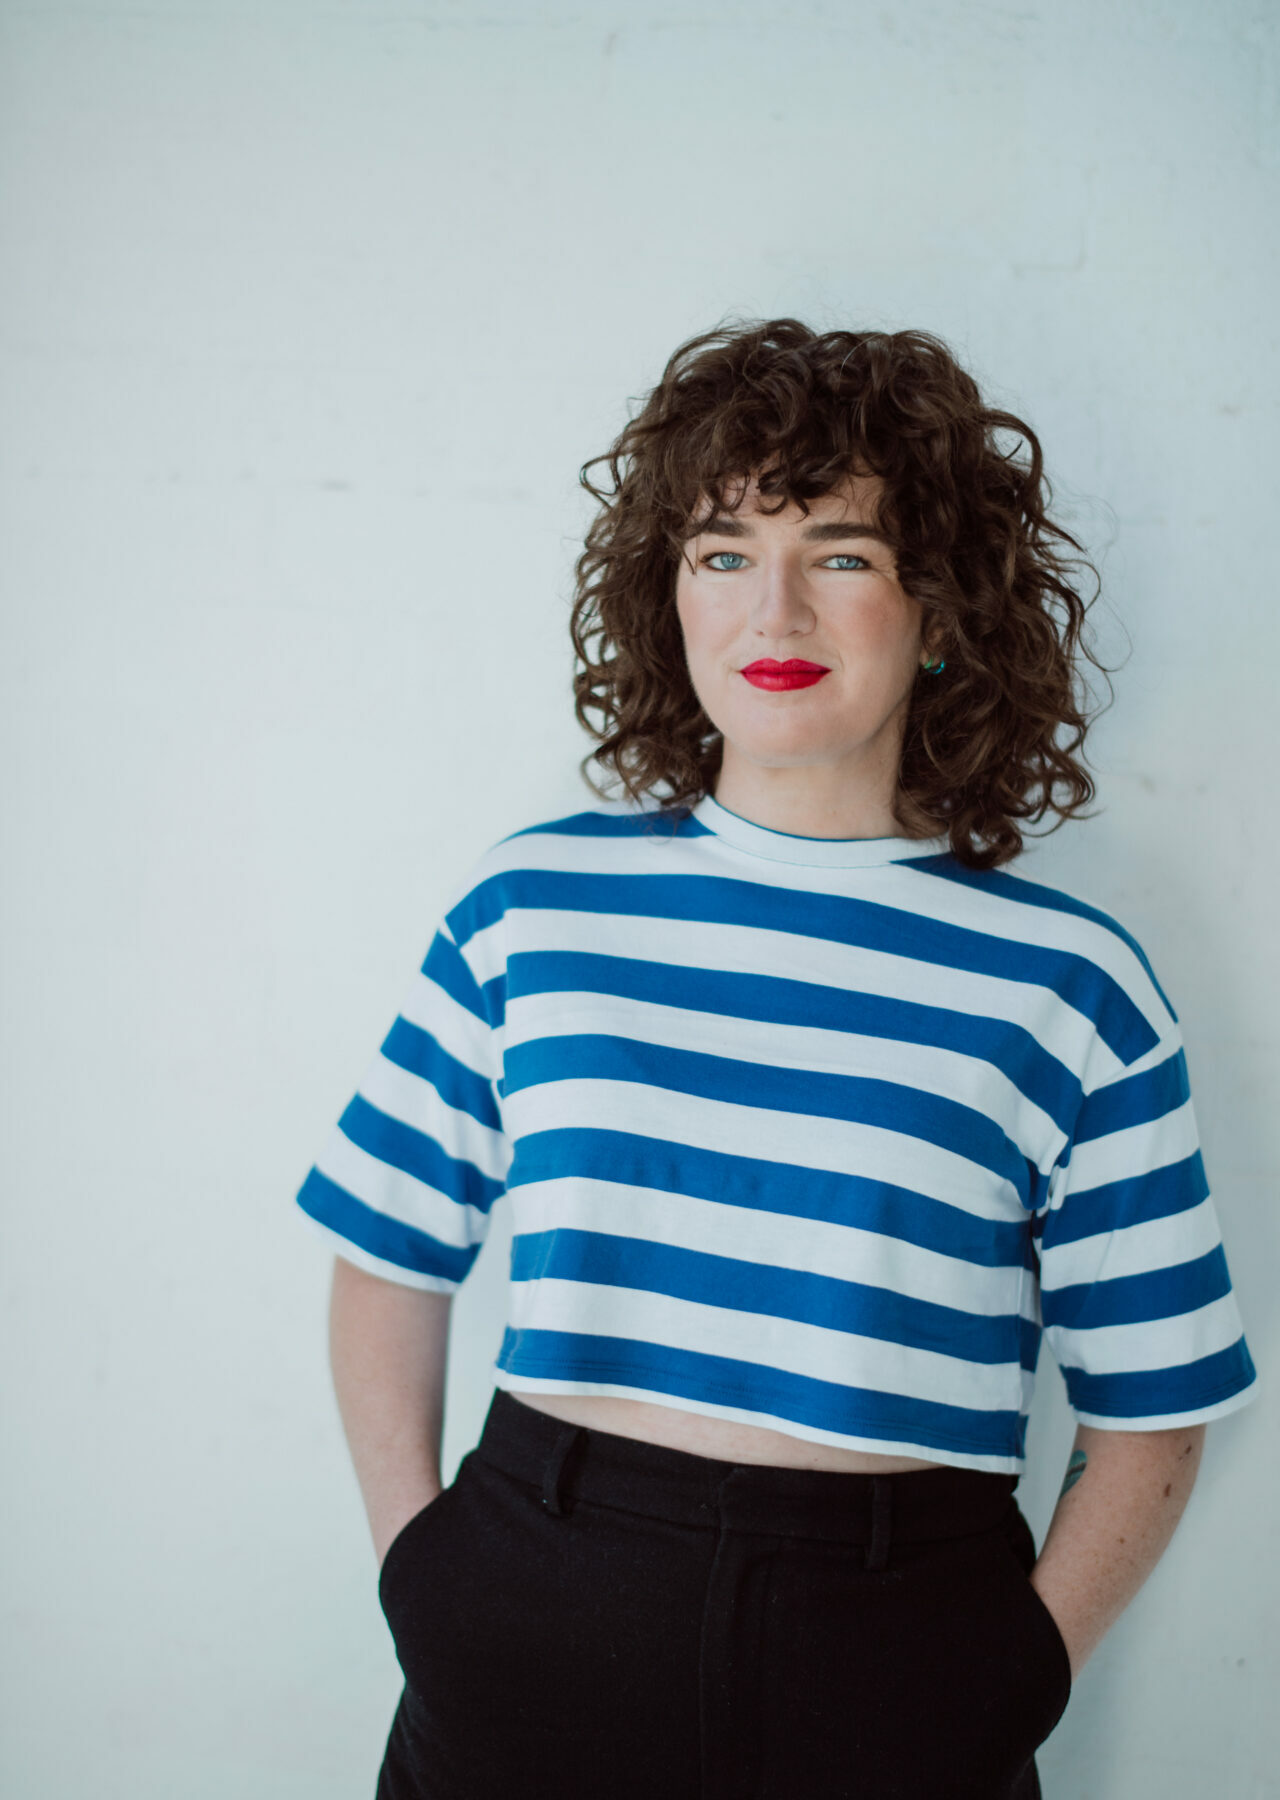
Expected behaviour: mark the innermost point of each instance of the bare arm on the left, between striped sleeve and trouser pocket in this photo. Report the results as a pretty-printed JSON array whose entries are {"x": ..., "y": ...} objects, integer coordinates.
[{"x": 388, "y": 1353}]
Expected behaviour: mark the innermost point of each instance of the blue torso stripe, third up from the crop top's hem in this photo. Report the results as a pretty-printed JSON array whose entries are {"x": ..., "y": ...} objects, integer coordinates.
[{"x": 755, "y": 1183}]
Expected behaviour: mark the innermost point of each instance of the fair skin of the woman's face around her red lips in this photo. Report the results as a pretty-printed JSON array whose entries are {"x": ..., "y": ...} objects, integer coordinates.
[{"x": 816, "y": 588}]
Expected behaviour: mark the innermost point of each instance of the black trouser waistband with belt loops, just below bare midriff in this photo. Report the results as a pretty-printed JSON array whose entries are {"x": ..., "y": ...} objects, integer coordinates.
[{"x": 573, "y": 1462}]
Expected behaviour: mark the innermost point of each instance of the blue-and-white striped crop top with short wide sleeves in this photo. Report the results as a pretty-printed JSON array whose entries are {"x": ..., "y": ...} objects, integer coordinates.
[{"x": 815, "y": 1135}]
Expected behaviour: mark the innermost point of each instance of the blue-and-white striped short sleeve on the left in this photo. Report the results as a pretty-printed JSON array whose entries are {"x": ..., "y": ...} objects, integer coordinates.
[{"x": 410, "y": 1174}]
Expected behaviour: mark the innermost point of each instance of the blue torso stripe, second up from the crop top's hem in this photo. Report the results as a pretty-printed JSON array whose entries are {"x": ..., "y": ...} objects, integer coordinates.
[{"x": 802, "y": 1295}]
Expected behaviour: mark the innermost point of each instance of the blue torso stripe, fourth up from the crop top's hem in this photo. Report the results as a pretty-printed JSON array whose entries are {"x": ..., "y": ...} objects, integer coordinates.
[{"x": 854, "y": 1099}]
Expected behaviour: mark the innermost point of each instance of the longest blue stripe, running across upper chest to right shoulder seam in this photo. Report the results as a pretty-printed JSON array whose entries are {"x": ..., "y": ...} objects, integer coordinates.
[{"x": 833, "y": 919}]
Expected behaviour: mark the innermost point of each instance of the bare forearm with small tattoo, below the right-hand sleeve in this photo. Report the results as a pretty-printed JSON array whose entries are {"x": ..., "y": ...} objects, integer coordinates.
[{"x": 1113, "y": 1522}]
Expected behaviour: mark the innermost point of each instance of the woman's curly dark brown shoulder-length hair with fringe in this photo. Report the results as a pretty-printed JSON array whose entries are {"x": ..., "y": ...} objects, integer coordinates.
[{"x": 800, "y": 411}]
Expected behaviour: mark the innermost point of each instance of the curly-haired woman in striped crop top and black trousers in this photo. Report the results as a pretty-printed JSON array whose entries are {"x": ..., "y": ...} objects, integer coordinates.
[{"x": 813, "y": 1120}]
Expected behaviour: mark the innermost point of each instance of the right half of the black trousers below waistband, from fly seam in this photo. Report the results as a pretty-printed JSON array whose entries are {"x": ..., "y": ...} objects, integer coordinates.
[{"x": 933, "y": 1677}]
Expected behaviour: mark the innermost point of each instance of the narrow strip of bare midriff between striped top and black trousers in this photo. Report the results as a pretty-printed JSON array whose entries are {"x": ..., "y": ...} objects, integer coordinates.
[{"x": 703, "y": 1435}]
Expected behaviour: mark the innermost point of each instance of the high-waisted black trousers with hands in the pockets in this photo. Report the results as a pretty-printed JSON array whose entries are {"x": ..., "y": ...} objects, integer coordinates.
[{"x": 588, "y": 1617}]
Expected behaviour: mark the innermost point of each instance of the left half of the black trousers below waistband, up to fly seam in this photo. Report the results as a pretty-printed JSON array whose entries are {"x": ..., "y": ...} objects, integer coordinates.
[{"x": 546, "y": 1653}]
